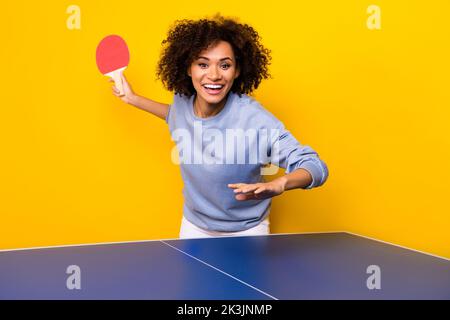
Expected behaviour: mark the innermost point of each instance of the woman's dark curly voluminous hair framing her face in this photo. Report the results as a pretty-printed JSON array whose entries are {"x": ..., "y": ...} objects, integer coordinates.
[{"x": 188, "y": 38}]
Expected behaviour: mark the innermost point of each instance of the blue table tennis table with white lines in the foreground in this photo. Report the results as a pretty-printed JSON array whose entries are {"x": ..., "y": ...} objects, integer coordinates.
[{"x": 280, "y": 267}]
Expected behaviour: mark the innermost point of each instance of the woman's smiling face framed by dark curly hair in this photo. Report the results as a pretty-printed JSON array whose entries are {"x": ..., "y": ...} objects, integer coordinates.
[{"x": 213, "y": 73}]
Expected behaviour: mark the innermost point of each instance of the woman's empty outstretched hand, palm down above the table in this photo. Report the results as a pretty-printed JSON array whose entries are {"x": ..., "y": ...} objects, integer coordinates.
[{"x": 258, "y": 191}]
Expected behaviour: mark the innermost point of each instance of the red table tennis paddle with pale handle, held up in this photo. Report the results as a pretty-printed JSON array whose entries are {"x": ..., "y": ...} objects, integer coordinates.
[{"x": 113, "y": 58}]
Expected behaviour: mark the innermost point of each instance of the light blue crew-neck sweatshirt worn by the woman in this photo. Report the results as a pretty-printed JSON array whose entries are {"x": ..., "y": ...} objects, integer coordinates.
[{"x": 234, "y": 146}]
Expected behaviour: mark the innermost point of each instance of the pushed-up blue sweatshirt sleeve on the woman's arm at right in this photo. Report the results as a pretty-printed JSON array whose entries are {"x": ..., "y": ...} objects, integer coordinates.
[{"x": 289, "y": 154}]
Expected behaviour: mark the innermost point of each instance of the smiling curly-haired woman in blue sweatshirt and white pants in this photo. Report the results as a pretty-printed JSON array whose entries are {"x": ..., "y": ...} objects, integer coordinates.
[{"x": 211, "y": 65}]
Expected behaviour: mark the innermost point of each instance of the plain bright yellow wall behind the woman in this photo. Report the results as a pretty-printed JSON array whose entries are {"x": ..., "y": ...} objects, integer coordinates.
[{"x": 79, "y": 166}]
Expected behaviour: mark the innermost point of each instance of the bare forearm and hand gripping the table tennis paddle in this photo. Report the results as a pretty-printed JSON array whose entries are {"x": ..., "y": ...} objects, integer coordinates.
[{"x": 158, "y": 109}]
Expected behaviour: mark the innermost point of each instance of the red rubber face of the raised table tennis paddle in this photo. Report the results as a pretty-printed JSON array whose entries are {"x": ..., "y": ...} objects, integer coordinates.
[{"x": 112, "y": 54}]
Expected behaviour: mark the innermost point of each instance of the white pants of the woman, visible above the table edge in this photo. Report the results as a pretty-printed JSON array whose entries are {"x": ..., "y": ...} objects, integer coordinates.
[{"x": 189, "y": 230}]
